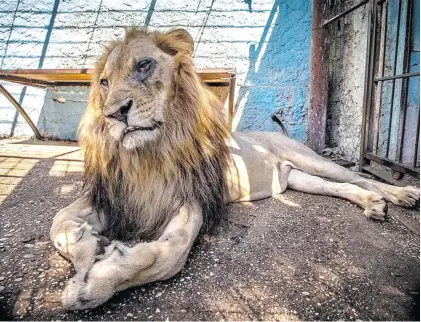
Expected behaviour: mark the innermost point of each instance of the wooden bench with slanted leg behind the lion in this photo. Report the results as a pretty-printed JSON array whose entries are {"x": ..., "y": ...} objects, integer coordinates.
[{"x": 220, "y": 80}]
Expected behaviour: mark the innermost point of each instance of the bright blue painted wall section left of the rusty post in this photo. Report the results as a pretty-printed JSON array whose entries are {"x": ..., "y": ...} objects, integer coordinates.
[{"x": 279, "y": 75}]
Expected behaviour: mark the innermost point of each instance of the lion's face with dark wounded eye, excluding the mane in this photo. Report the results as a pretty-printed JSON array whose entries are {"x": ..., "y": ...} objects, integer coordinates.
[{"x": 135, "y": 85}]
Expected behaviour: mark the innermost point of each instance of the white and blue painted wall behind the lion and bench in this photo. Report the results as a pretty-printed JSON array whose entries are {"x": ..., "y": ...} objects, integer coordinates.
[{"x": 267, "y": 41}]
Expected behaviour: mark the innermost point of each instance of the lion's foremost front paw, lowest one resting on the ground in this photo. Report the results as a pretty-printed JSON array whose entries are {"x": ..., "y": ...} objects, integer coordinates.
[{"x": 81, "y": 294}]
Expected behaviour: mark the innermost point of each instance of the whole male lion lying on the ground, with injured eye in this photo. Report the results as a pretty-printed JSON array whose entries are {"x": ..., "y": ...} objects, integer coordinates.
[{"x": 161, "y": 166}]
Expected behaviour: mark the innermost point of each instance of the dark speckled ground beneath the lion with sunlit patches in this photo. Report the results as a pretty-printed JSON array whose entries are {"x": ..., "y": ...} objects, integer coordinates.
[{"x": 294, "y": 257}]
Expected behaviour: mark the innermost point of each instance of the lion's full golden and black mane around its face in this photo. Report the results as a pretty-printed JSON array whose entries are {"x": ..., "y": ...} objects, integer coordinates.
[{"x": 141, "y": 190}]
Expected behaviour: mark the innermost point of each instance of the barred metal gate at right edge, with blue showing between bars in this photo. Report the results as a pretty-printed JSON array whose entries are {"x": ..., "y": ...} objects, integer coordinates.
[{"x": 391, "y": 110}]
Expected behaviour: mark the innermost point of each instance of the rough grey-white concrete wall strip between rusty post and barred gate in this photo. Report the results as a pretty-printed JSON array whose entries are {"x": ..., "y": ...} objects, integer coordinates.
[{"x": 346, "y": 50}]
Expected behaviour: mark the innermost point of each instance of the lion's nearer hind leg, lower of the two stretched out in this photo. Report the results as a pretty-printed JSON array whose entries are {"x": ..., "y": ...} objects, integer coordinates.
[{"x": 374, "y": 205}]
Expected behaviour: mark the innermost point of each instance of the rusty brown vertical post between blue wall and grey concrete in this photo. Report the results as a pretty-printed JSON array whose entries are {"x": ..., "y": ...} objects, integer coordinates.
[{"x": 316, "y": 132}]
